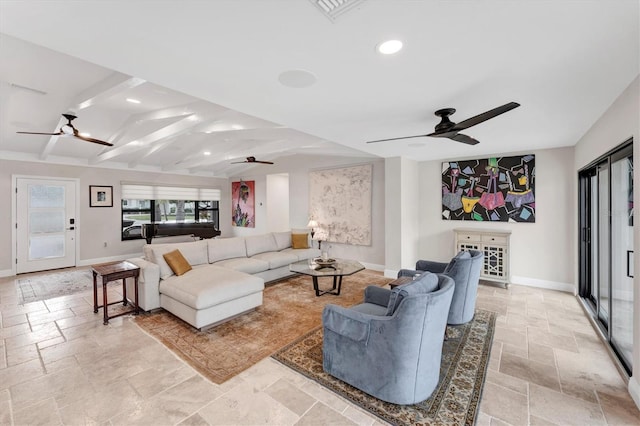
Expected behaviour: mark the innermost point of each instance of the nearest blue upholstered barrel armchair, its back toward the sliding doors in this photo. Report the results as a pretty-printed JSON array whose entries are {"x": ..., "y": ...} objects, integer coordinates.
[{"x": 390, "y": 346}]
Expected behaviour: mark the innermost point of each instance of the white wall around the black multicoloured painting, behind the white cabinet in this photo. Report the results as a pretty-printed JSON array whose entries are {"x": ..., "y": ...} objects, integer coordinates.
[{"x": 541, "y": 252}]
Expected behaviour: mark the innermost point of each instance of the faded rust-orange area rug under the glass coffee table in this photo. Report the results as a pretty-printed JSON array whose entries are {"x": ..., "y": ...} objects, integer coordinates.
[{"x": 290, "y": 309}]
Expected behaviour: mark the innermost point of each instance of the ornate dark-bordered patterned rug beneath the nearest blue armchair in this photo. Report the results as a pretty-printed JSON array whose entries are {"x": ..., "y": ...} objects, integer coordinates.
[{"x": 465, "y": 357}]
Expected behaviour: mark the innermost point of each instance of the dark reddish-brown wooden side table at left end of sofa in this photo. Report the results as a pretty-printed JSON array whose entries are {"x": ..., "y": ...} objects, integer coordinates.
[{"x": 113, "y": 271}]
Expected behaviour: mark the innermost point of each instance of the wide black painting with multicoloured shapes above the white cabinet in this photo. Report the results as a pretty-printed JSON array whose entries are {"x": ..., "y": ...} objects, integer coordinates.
[{"x": 497, "y": 189}]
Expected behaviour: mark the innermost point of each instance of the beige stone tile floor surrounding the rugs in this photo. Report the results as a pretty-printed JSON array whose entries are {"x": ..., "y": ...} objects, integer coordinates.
[{"x": 60, "y": 365}]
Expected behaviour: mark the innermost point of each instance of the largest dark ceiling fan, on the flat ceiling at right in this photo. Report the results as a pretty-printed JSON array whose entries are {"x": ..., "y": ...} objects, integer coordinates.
[{"x": 448, "y": 129}]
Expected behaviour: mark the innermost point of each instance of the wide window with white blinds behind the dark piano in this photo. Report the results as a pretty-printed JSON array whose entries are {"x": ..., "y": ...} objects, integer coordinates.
[{"x": 165, "y": 204}]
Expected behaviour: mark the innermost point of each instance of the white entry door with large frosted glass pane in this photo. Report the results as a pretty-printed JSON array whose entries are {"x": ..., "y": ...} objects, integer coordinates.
[{"x": 45, "y": 226}]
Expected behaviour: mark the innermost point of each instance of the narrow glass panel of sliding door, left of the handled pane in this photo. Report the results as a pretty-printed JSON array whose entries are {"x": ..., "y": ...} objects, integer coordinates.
[{"x": 603, "y": 244}]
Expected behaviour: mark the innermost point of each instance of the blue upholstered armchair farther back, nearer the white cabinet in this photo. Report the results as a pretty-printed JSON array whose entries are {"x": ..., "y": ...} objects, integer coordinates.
[{"x": 465, "y": 269}]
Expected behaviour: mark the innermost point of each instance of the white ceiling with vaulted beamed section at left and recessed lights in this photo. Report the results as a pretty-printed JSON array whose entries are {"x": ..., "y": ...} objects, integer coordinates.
[{"x": 219, "y": 81}]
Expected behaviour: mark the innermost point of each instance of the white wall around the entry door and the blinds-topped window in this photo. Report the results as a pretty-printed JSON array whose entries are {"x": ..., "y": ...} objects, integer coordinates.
[{"x": 95, "y": 225}]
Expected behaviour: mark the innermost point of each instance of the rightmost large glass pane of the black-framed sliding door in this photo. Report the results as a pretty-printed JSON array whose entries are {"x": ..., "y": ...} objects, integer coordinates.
[{"x": 621, "y": 327}]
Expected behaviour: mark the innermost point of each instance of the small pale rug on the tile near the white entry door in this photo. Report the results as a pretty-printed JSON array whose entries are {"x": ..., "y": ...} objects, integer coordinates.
[{"x": 56, "y": 284}]
